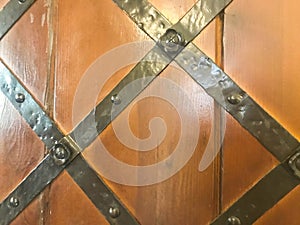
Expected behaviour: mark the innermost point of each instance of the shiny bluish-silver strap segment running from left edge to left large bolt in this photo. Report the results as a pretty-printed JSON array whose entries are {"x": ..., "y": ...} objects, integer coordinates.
[{"x": 29, "y": 109}]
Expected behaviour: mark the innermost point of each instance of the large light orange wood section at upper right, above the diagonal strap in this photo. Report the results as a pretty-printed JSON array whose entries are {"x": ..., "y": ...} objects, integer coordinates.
[{"x": 261, "y": 56}]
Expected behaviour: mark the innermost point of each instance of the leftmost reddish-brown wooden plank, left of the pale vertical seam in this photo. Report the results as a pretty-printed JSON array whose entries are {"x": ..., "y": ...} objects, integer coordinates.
[{"x": 24, "y": 50}]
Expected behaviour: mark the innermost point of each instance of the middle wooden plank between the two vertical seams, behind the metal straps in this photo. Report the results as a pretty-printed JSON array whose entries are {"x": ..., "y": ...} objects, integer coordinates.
[{"x": 87, "y": 30}]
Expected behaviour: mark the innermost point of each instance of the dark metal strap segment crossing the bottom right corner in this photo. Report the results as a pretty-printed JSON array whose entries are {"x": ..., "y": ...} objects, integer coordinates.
[{"x": 265, "y": 194}]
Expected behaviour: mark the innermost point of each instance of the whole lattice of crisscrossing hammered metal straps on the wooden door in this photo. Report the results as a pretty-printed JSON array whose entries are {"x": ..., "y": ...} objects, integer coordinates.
[{"x": 173, "y": 43}]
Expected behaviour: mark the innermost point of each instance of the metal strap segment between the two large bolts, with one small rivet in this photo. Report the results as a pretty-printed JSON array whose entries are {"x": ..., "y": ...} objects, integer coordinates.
[{"x": 139, "y": 78}]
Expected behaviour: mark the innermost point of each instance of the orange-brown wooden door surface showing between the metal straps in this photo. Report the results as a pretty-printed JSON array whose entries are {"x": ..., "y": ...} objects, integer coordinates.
[{"x": 55, "y": 43}]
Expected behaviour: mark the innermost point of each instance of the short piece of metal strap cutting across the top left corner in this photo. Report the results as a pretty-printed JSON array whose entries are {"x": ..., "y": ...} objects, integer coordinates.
[{"x": 11, "y": 13}]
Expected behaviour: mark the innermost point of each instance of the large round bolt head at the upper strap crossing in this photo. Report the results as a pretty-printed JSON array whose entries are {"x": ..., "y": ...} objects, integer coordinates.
[{"x": 172, "y": 41}]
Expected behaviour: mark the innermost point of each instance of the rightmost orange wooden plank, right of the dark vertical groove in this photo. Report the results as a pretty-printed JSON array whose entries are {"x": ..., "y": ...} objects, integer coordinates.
[{"x": 261, "y": 57}]
